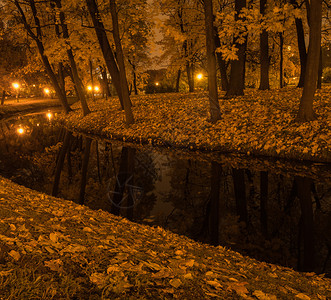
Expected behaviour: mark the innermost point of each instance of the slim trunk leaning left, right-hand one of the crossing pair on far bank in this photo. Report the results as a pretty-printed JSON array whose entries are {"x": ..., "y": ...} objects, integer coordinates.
[{"x": 120, "y": 59}]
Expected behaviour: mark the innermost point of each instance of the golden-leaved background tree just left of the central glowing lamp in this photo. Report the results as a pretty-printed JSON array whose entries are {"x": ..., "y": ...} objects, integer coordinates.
[{"x": 182, "y": 40}]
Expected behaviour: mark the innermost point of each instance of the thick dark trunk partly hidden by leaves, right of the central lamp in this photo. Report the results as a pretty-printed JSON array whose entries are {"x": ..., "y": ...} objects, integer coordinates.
[{"x": 237, "y": 73}]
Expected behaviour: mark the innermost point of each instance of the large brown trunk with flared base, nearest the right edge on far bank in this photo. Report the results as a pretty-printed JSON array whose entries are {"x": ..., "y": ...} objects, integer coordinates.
[{"x": 306, "y": 111}]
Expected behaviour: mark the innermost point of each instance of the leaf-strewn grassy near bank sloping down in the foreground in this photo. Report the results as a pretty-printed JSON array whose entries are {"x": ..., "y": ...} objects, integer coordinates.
[{"x": 56, "y": 249}]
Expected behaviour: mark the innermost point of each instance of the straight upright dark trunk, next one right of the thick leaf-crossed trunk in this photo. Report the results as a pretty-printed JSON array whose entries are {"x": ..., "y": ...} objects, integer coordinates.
[{"x": 264, "y": 53}]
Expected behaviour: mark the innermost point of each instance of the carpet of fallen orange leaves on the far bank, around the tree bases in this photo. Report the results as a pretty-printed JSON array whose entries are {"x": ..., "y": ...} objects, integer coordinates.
[{"x": 259, "y": 123}]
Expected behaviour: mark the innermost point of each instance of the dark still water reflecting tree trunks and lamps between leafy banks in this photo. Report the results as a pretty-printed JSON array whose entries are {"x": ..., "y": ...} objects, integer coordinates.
[{"x": 270, "y": 210}]
